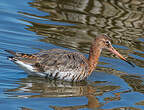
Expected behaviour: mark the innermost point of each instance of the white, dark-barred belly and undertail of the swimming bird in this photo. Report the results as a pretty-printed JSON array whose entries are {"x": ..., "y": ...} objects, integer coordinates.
[{"x": 70, "y": 75}]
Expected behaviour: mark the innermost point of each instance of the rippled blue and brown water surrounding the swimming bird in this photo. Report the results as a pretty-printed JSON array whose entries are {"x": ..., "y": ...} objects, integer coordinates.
[{"x": 30, "y": 26}]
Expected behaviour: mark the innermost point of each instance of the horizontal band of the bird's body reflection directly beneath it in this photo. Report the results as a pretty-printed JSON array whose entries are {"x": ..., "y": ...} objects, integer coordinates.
[{"x": 50, "y": 88}]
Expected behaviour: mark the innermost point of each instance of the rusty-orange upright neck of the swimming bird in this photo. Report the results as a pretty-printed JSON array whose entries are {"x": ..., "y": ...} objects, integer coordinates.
[{"x": 94, "y": 55}]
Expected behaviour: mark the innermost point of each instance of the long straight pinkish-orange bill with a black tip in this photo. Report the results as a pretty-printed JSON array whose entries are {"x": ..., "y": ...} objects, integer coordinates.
[{"x": 111, "y": 49}]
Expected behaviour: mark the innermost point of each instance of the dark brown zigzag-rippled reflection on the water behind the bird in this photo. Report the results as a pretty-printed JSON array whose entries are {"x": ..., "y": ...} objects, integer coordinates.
[{"x": 122, "y": 20}]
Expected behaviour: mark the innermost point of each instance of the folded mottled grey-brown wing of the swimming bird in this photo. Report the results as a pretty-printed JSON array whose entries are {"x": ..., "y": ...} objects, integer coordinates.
[{"x": 60, "y": 59}]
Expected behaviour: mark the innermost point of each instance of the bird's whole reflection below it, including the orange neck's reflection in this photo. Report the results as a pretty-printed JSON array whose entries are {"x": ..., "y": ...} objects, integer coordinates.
[{"x": 33, "y": 87}]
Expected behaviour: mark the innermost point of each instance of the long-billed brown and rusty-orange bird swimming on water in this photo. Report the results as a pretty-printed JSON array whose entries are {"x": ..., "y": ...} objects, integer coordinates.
[{"x": 60, "y": 64}]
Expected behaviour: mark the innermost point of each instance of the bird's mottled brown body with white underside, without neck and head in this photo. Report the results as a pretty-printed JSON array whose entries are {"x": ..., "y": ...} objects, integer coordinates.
[{"x": 54, "y": 63}]
